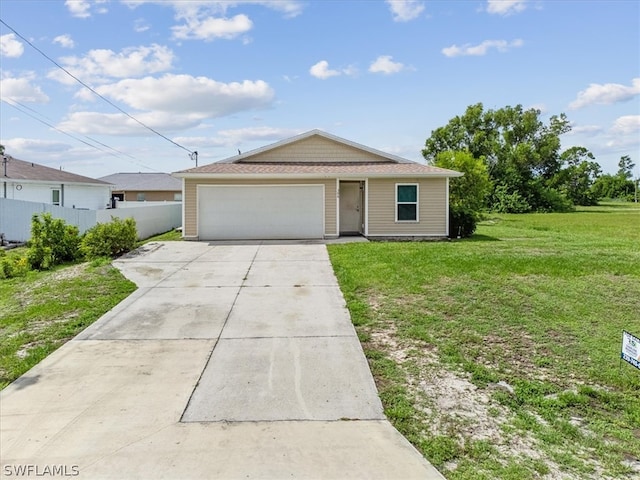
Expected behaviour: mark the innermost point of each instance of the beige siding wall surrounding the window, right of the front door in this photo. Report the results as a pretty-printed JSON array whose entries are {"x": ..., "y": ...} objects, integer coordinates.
[{"x": 432, "y": 211}]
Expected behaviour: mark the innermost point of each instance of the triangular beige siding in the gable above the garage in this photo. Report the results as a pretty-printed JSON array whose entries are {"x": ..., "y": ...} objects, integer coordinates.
[{"x": 315, "y": 149}]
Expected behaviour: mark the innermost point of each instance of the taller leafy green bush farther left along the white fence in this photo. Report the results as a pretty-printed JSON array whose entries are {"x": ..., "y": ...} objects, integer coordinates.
[{"x": 52, "y": 242}]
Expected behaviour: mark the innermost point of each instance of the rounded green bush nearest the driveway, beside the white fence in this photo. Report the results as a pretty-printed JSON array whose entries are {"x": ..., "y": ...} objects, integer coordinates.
[{"x": 110, "y": 239}]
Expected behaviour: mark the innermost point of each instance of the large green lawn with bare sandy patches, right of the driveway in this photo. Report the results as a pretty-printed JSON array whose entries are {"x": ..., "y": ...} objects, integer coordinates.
[{"x": 537, "y": 302}]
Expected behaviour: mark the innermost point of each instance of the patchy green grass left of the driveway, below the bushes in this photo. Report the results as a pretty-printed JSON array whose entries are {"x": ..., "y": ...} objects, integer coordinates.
[{"x": 42, "y": 310}]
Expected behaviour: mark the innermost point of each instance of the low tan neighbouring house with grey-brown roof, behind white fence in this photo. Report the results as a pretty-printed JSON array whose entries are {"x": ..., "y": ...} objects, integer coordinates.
[{"x": 145, "y": 187}]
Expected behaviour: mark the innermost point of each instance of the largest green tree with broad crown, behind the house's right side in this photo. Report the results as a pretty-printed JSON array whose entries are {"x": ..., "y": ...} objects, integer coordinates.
[{"x": 521, "y": 152}]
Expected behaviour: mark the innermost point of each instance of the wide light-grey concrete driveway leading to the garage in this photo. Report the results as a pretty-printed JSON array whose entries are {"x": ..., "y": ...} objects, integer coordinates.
[{"x": 229, "y": 361}]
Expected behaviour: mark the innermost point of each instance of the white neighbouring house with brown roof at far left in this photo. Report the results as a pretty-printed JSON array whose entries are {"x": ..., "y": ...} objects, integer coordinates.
[{"x": 36, "y": 183}]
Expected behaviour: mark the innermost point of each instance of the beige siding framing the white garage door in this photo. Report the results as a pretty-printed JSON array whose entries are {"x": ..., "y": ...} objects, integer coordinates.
[{"x": 191, "y": 206}]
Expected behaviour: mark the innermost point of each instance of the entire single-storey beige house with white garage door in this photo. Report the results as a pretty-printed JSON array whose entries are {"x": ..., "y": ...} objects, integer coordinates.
[{"x": 314, "y": 185}]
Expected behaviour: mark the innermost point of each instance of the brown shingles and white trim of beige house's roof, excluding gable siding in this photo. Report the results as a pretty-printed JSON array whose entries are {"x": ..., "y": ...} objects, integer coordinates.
[{"x": 385, "y": 164}]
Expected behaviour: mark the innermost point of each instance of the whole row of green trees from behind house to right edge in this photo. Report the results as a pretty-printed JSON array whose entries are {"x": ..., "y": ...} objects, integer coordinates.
[{"x": 513, "y": 163}]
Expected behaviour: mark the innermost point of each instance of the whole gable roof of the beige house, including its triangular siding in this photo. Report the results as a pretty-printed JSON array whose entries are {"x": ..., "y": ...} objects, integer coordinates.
[{"x": 357, "y": 160}]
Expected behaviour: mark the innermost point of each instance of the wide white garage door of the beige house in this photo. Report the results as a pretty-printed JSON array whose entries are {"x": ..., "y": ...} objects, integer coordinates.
[{"x": 260, "y": 212}]
